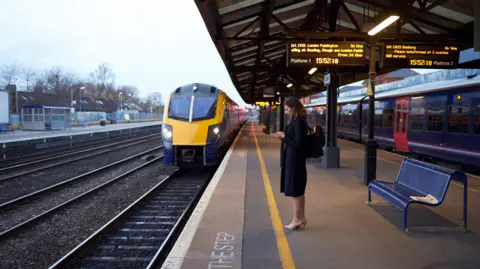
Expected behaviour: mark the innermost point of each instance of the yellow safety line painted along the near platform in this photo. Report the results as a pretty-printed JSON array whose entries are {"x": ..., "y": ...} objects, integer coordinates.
[{"x": 282, "y": 242}]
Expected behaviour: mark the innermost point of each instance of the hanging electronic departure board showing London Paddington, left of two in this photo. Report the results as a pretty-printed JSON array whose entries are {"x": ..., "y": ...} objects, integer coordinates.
[{"x": 326, "y": 53}]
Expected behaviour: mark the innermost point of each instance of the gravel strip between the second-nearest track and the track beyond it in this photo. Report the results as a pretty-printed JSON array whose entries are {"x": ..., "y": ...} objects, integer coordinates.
[{"x": 26, "y": 184}]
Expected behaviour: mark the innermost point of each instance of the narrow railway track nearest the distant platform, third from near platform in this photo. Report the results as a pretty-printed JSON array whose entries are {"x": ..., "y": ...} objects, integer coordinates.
[{"x": 11, "y": 172}]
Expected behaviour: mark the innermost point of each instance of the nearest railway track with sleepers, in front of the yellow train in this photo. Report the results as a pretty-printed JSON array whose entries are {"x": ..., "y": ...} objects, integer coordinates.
[{"x": 141, "y": 235}]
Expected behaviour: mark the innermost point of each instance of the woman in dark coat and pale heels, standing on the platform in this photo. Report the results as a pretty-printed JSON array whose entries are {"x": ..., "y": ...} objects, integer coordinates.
[{"x": 293, "y": 160}]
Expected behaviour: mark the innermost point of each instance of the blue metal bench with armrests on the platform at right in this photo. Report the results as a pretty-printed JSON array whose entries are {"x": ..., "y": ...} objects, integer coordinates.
[{"x": 417, "y": 178}]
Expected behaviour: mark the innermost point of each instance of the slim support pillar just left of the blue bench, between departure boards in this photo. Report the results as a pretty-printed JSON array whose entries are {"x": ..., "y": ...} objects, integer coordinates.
[{"x": 371, "y": 145}]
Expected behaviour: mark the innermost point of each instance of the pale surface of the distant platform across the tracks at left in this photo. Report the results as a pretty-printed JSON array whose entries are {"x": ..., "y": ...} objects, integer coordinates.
[{"x": 20, "y": 135}]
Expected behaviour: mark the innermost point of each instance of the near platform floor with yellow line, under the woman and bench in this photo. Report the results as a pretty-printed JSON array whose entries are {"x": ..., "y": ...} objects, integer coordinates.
[{"x": 238, "y": 222}]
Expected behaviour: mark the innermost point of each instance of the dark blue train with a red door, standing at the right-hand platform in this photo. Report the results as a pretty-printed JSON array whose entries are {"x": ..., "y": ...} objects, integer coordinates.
[{"x": 437, "y": 120}]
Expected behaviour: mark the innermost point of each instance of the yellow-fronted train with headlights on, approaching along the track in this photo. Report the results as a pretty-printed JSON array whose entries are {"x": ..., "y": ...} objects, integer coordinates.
[{"x": 200, "y": 121}]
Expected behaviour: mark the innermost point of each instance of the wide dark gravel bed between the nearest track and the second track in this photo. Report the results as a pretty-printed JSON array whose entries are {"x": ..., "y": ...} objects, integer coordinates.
[{"x": 55, "y": 235}]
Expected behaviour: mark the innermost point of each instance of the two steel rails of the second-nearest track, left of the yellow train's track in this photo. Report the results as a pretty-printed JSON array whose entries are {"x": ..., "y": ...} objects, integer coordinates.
[{"x": 25, "y": 224}]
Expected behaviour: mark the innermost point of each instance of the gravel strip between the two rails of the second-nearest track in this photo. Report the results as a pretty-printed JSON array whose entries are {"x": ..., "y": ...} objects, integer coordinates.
[{"x": 34, "y": 207}]
